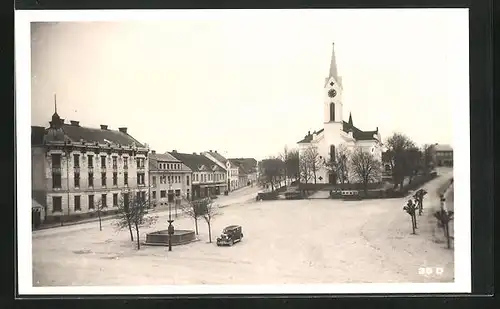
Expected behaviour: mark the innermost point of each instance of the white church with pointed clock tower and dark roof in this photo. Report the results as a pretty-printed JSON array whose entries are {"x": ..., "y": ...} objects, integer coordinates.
[{"x": 335, "y": 130}]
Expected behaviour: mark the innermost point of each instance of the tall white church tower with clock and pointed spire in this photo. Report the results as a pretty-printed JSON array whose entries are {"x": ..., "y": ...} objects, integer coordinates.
[{"x": 332, "y": 104}]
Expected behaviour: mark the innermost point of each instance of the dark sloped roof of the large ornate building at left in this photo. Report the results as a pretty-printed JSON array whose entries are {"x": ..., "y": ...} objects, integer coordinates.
[{"x": 76, "y": 133}]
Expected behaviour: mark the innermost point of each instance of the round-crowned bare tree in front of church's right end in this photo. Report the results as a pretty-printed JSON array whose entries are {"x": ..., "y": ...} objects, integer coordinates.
[{"x": 365, "y": 167}]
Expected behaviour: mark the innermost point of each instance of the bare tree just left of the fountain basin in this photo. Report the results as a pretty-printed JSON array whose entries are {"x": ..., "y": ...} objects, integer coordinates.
[{"x": 134, "y": 216}]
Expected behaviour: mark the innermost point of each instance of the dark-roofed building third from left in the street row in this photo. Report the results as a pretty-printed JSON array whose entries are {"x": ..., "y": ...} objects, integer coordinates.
[{"x": 208, "y": 178}]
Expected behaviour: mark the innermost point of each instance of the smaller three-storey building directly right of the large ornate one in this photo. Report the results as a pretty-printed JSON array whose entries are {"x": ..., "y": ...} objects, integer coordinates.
[{"x": 170, "y": 179}]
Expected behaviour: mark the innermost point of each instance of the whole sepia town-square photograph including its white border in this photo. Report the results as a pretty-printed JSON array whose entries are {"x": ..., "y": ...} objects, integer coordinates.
[{"x": 243, "y": 151}]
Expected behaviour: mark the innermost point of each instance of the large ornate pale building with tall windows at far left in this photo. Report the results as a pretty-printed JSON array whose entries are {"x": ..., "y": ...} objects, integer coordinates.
[{"x": 77, "y": 170}]
